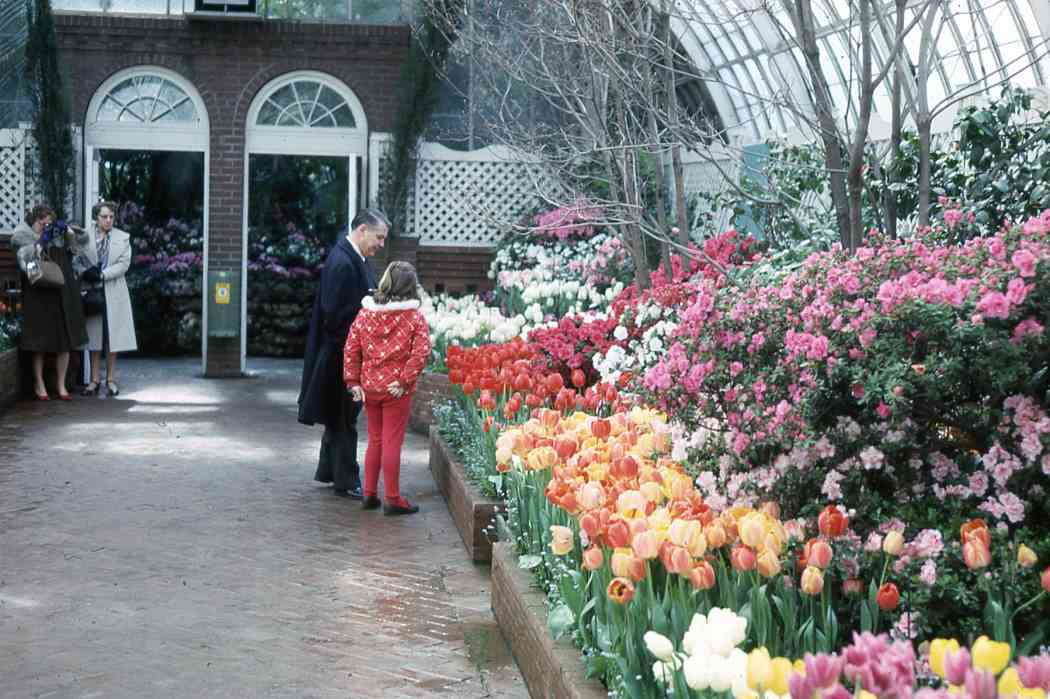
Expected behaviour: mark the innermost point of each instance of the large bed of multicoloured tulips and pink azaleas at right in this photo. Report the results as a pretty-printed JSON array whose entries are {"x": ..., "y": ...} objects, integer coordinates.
[{"x": 824, "y": 480}]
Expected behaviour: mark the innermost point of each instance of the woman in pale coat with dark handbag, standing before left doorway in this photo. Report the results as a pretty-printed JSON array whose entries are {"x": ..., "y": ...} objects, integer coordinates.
[{"x": 112, "y": 331}]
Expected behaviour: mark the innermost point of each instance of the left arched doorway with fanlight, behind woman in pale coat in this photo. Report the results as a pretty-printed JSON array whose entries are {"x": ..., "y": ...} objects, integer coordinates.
[{"x": 146, "y": 145}]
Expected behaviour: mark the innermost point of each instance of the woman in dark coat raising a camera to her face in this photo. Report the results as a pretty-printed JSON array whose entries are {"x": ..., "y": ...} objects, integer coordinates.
[{"x": 53, "y": 319}]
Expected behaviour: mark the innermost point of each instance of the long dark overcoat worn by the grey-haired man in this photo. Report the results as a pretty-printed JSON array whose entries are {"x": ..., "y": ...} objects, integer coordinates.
[{"x": 346, "y": 280}]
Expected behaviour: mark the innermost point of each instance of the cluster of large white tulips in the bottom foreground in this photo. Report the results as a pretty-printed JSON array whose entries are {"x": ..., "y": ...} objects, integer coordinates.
[{"x": 710, "y": 658}]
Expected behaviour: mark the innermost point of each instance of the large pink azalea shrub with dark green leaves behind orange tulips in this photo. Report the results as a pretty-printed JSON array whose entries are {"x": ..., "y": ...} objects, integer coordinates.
[{"x": 910, "y": 379}]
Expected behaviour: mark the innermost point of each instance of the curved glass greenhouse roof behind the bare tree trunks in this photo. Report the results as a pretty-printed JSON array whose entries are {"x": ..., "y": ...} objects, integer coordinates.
[{"x": 749, "y": 57}]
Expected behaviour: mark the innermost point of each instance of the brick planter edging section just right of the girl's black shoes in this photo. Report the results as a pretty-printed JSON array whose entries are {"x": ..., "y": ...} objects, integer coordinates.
[{"x": 472, "y": 513}]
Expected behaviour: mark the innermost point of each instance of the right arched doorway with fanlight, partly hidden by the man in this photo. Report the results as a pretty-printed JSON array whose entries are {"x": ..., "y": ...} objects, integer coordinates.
[{"x": 306, "y": 155}]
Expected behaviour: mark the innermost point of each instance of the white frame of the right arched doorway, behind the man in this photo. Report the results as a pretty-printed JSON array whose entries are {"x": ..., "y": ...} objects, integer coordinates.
[{"x": 328, "y": 142}]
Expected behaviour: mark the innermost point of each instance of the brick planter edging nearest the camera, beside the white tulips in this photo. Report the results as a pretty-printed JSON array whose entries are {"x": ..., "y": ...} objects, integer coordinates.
[{"x": 553, "y": 669}]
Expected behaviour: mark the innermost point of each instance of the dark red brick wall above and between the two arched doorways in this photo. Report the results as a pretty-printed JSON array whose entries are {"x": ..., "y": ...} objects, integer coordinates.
[{"x": 228, "y": 62}]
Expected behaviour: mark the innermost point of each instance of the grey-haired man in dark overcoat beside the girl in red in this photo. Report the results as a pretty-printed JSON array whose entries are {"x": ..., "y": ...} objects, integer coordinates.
[{"x": 346, "y": 280}]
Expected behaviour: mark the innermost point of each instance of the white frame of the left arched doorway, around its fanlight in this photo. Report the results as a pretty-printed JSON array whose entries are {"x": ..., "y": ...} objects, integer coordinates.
[{"x": 158, "y": 136}]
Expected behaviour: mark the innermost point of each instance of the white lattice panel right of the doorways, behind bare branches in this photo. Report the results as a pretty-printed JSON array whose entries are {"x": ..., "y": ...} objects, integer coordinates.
[{"x": 469, "y": 199}]
